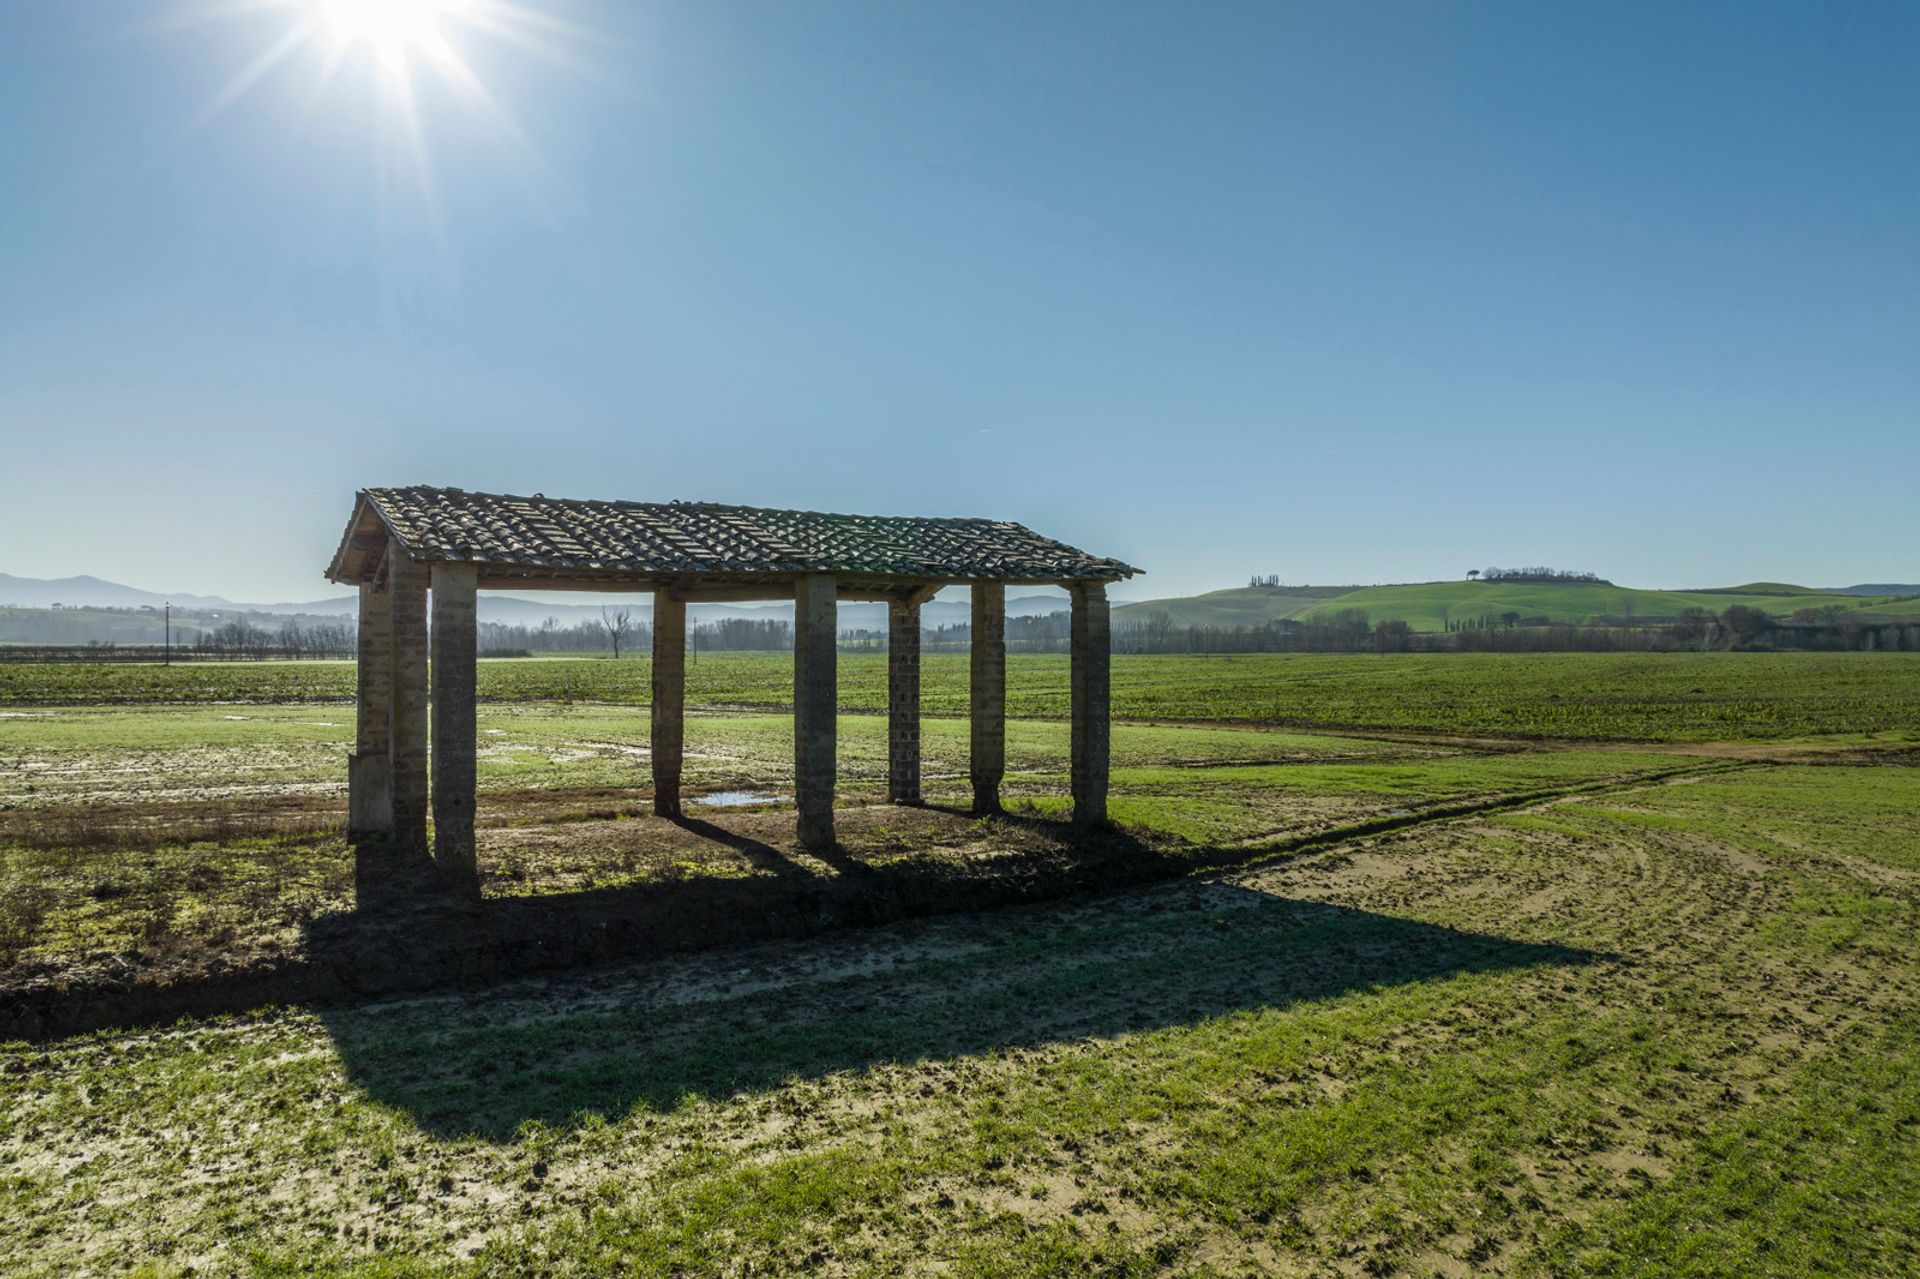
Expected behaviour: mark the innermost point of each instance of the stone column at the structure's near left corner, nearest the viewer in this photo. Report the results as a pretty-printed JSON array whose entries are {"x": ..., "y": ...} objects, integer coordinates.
[{"x": 456, "y": 735}]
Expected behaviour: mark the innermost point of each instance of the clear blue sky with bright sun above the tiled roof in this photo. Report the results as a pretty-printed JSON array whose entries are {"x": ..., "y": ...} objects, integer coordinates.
[{"x": 1347, "y": 293}]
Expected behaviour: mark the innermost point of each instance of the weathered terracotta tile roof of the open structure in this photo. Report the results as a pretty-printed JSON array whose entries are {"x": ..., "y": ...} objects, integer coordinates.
[{"x": 450, "y": 525}]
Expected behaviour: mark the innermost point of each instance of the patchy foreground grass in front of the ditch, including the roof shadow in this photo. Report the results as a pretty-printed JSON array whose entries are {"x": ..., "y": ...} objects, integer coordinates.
[{"x": 1621, "y": 1038}]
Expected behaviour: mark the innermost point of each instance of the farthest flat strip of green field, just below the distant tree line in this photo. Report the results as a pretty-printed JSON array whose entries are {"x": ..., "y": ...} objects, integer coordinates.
[{"x": 1575, "y": 696}]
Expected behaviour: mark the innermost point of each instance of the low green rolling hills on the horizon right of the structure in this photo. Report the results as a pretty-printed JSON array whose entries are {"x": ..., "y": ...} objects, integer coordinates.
[{"x": 1431, "y": 606}]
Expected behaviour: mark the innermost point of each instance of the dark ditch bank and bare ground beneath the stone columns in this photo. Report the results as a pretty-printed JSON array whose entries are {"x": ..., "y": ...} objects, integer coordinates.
[{"x": 690, "y": 886}]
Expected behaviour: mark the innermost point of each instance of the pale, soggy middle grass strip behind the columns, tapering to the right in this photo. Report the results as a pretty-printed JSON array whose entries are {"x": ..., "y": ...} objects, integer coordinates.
[{"x": 181, "y": 831}]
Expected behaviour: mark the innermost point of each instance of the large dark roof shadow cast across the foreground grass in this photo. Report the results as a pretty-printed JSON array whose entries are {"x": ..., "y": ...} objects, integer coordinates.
[{"x": 487, "y": 1065}]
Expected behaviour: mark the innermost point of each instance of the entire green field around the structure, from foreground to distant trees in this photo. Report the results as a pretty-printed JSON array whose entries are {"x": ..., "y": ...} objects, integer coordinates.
[{"x": 1447, "y": 1000}]
